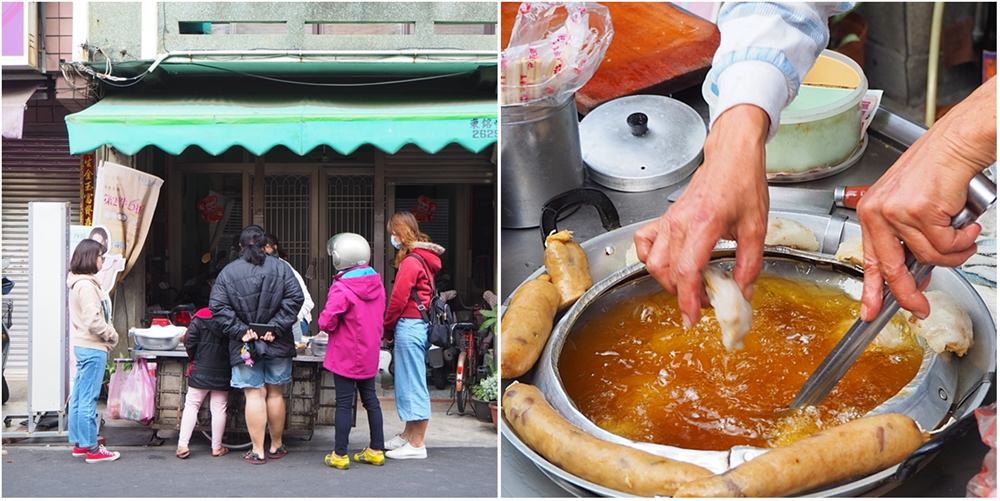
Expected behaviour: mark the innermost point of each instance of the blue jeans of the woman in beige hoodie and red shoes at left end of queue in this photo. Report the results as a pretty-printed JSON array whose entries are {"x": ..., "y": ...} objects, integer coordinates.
[{"x": 90, "y": 365}]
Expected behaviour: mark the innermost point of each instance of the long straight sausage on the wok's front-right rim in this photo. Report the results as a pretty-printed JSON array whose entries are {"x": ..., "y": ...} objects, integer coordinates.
[{"x": 857, "y": 448}]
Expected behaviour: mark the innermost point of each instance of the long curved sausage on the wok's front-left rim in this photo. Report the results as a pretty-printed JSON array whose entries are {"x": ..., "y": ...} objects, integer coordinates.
[{"x": 612, "y": 465}]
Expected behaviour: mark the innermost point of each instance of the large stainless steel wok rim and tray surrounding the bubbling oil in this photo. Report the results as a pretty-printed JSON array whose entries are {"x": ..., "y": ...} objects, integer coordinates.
[{"x": 945, "y": 390}]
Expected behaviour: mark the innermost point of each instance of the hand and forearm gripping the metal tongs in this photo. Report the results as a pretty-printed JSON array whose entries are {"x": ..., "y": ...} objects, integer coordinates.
[{"x": 916, "y": 198}]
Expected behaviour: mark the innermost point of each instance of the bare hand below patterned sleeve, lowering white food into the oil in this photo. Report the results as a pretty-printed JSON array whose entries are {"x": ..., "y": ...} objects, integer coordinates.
[{"x": 679, "y": 244}]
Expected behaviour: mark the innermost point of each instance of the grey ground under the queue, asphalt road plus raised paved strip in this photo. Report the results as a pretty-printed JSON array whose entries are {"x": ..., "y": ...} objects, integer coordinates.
[{"x": 462, "y": 462}]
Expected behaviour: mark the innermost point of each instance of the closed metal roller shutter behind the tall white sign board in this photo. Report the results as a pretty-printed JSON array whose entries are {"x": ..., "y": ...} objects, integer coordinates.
[{"x": 35, "y": 168}]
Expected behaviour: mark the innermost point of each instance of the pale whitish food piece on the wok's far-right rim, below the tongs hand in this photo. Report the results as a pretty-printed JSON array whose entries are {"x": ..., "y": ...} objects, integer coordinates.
[{"x": 947, "y": 328}]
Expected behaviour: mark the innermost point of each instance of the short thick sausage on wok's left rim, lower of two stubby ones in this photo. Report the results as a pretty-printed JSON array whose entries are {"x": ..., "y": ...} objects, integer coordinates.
[{"x": 526, "y": 326}]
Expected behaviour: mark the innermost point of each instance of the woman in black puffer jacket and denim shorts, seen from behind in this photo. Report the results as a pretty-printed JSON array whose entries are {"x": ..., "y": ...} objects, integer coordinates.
[{"x": 259, "y": 289}]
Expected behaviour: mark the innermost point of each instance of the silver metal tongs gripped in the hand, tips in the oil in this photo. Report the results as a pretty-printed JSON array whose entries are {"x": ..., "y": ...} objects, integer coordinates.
[{"x": 982, "y": 194}]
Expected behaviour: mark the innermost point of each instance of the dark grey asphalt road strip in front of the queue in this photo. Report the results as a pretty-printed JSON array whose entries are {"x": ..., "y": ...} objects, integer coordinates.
[{"x": 155, "y": 472}]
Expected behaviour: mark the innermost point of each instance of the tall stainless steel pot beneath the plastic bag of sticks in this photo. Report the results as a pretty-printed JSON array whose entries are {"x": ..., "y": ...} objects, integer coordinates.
[{"x": 540, "y": 158}]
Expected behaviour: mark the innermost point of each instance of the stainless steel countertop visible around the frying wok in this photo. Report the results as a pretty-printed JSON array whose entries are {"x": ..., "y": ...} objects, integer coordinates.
[{"x": 521, "y": 254}]
